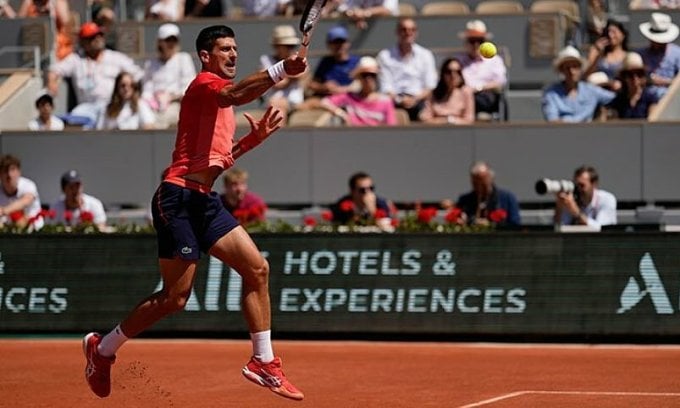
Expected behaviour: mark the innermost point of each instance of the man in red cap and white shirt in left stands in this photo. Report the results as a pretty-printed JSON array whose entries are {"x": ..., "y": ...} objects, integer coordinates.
[{"x": 92, "y": 73}]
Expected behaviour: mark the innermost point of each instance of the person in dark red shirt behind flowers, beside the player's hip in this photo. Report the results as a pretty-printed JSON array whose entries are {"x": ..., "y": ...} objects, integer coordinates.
[{"x": 242, "y": 203}]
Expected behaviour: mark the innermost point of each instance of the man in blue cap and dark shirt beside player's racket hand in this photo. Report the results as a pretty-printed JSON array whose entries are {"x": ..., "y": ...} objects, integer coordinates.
[{"x": 332, "y": 75}]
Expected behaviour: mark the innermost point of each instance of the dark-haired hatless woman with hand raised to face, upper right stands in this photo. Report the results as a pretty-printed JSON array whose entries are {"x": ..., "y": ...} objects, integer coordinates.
[{"x": 607, "y": 54}]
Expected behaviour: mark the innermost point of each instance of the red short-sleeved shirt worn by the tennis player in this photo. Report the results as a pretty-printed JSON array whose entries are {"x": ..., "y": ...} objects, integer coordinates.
[{"x": 205, "y": 131}]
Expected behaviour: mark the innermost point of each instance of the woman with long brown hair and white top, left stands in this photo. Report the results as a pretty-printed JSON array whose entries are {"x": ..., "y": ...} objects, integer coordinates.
[{"x": 126, "y": 110}]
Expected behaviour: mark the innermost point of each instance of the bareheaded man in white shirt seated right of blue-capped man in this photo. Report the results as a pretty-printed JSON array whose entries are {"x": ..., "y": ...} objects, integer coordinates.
[{"x": 407, "y": 70}]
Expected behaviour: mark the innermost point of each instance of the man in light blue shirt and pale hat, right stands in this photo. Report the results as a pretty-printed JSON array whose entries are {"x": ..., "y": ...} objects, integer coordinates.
[{"x": 572, "y": 100}]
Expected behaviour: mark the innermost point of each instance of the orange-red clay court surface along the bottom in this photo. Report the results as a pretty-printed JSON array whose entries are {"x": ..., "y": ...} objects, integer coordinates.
[{"x": 207, "y": 373}]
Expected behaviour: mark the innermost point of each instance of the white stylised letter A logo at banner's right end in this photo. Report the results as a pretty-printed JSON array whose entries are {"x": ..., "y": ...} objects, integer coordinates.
[{"x": 632, "y": 294}]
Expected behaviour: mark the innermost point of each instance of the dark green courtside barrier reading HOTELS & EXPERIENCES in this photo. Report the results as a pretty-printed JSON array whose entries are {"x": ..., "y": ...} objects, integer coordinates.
[{"x": 498, "y": 284}]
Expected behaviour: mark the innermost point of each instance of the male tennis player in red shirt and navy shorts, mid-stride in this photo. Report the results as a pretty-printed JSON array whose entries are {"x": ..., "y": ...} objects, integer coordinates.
[{"x": 189, "y": 217}]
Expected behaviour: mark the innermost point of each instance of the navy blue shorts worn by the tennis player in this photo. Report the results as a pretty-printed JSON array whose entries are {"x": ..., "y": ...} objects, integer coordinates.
[{"x": 187, "y": 221}]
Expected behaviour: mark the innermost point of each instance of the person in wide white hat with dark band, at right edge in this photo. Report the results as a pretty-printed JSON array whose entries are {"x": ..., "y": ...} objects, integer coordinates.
[{"x": 661, "y": 56}]
